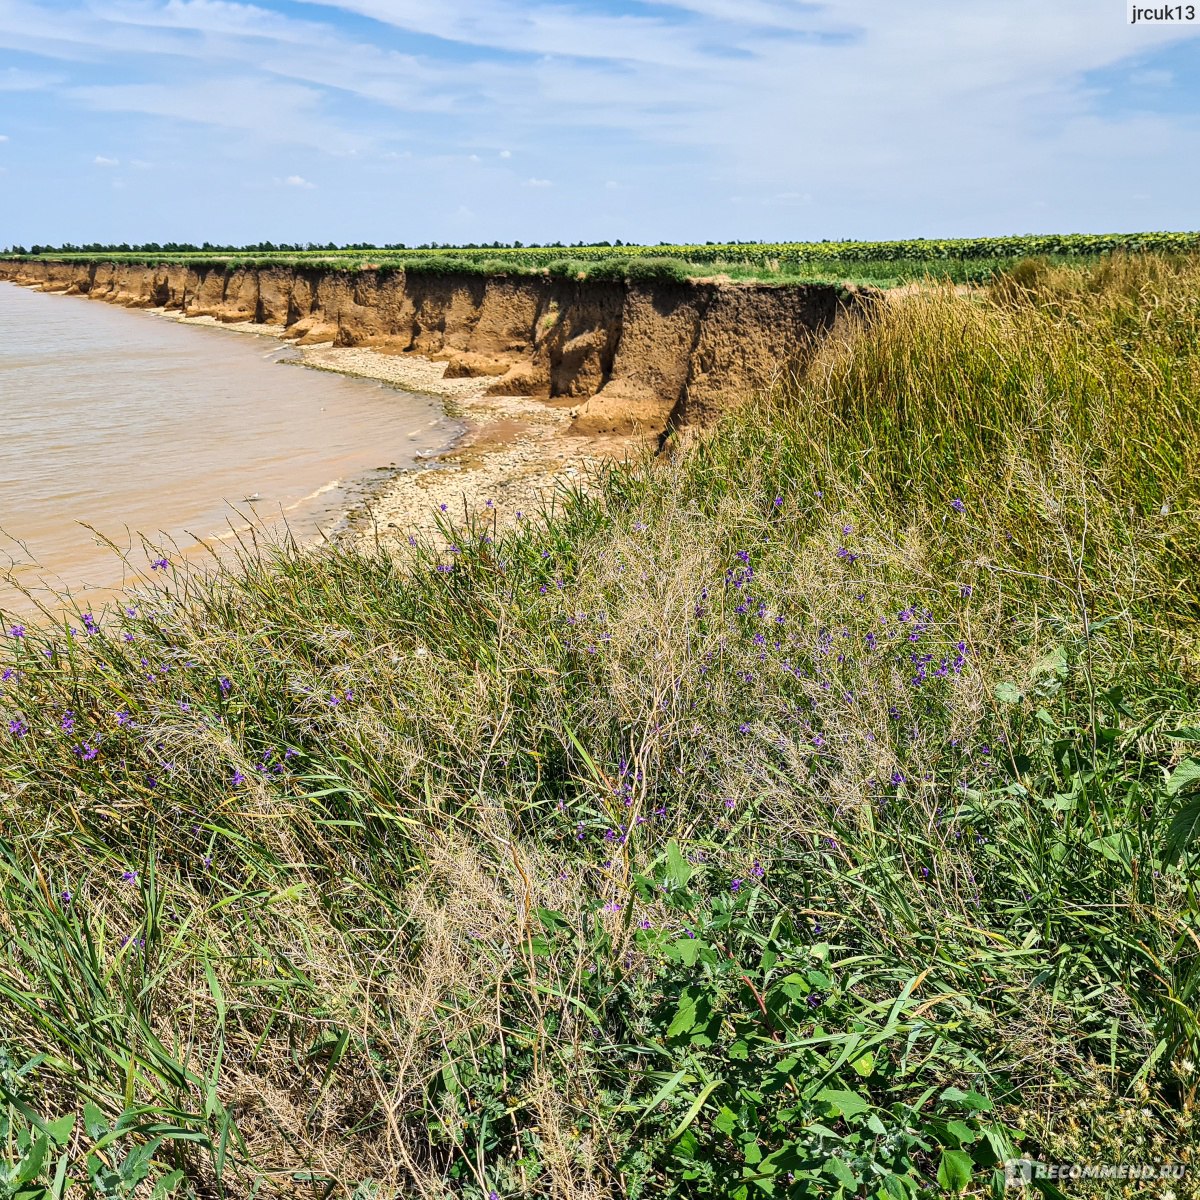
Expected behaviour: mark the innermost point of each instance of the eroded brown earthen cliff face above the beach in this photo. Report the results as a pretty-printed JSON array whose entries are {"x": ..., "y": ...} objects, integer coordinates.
[{"x": 631, "y": 356}]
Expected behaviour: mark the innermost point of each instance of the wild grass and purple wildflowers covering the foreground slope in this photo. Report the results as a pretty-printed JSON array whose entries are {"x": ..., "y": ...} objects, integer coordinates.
[{"x": 638, "y": 849}]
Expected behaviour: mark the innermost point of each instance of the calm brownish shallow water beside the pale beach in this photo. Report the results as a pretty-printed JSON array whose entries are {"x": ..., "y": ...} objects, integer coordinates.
[{"x": 140, "y": 425}]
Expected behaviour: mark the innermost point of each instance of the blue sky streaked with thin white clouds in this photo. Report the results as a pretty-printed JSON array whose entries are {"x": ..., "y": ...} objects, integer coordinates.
[{"x": 675, "y": 121}]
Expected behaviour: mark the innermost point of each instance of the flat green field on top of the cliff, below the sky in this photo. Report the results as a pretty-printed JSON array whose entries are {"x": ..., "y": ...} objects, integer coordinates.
[{"x": 883, "y": 263}]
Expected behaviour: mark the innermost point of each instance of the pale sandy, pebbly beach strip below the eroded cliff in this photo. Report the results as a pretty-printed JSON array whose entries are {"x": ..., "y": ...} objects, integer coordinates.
[{"x": 515, "y": 452}]
